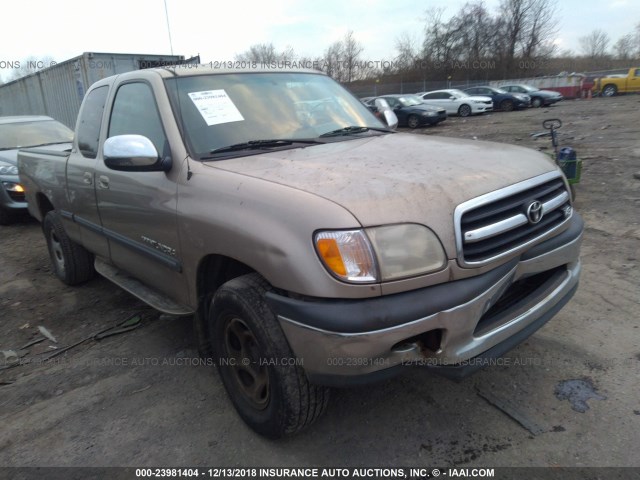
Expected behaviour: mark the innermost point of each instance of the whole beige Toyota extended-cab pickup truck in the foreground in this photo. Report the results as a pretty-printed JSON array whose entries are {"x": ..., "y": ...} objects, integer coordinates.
[{"x": 314, "y": 246}]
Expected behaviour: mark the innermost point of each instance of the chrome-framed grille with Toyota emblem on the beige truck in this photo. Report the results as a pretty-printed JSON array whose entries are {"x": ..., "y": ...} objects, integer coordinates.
[{"x": 506, "y": 221}]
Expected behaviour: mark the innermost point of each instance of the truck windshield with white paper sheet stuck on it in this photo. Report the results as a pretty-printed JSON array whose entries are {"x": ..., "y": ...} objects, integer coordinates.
[{"x": 221, "y": 110}]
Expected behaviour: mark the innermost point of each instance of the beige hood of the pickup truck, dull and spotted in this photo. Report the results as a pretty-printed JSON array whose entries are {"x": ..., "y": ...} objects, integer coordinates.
[{"x": 399, "y": 177}]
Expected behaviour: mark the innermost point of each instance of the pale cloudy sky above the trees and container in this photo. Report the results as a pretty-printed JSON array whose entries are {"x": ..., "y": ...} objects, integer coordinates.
[{"x": 217, "y": 31}]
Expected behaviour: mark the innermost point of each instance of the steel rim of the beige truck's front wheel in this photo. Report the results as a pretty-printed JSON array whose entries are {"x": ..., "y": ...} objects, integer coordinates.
[{"x": 248, "y": 370}]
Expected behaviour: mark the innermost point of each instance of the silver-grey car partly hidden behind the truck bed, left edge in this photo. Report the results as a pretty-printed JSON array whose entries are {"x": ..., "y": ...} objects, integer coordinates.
[{"x": 21, "y": 132}]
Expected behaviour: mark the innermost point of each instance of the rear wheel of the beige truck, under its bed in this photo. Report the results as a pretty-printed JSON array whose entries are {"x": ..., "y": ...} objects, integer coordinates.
[{"x": 71, "y": 262}]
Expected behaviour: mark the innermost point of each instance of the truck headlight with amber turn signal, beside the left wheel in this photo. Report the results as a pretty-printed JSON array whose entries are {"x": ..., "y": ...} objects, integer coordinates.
[{"x": 380, "y": 253}]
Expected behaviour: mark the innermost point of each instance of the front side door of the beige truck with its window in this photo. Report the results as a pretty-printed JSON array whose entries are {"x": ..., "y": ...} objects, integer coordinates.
[{"x": 138, "y": 208}]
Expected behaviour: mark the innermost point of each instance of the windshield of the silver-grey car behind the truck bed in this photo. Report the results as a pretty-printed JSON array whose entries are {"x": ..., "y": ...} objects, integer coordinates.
[{"x": 31, "y": 134}]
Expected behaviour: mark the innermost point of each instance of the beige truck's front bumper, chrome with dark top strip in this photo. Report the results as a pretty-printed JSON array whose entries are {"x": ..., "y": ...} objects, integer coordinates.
[{"x": 449, "y": 327}]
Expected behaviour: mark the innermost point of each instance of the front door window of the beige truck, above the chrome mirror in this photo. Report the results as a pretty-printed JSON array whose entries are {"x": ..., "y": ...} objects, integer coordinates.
[{"x": 135, "y": 112}]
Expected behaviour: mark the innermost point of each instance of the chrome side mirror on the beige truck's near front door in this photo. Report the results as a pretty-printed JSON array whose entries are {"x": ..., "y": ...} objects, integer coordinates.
[{"x": 134, "y": 153}]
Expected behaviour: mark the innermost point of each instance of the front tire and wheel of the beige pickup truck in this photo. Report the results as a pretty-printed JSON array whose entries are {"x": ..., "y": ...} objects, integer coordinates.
[{"x": 273, "y": 398}]
